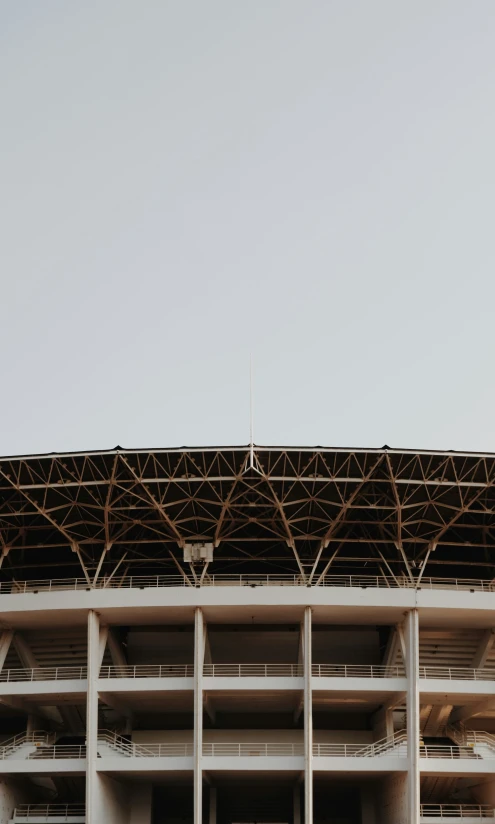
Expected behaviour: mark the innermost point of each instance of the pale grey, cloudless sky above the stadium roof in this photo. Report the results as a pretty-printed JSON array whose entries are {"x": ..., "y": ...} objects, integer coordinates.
[{"x": 183, "y": 182}]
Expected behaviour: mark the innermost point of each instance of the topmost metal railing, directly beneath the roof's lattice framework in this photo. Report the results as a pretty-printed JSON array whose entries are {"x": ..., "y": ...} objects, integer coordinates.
[{"x": 159, "y": 581}]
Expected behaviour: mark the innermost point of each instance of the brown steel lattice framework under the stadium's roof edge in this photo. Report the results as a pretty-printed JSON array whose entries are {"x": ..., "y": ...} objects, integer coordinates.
[{"x": 265, "y": 509}]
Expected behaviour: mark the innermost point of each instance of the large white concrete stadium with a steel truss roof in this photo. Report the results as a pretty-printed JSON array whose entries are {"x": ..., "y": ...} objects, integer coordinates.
[{"x": 247, "y": 634}]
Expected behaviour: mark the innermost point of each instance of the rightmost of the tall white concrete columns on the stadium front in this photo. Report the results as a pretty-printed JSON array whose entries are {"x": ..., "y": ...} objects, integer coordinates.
[{"x": 411, "y": 637}]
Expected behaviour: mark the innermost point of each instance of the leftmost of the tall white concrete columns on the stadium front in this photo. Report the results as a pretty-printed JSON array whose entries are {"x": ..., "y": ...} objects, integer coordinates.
[{"x": 92, "y": 717}]
